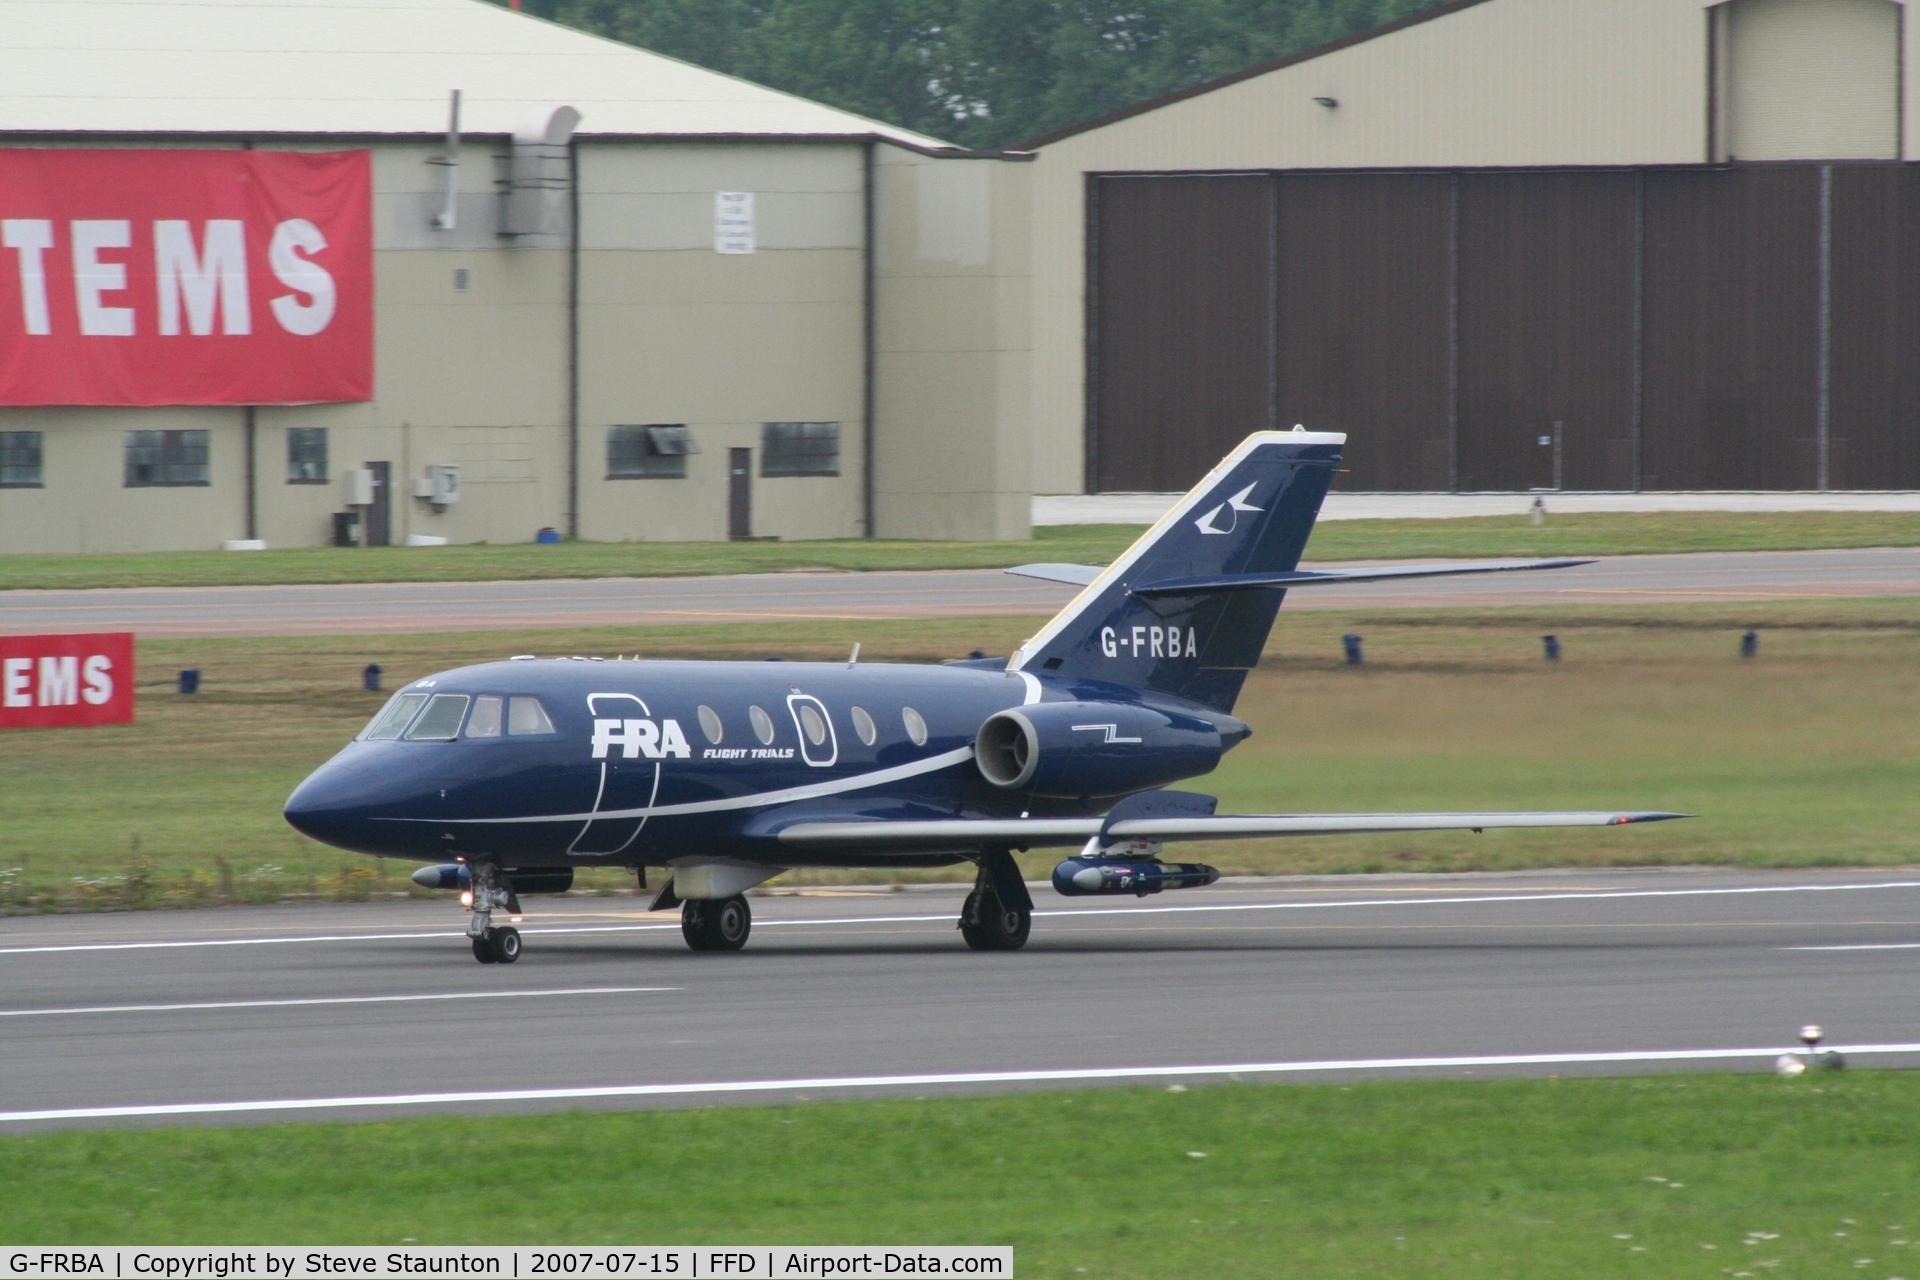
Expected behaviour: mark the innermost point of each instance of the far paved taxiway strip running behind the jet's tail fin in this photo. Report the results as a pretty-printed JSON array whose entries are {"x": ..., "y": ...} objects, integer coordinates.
[{"x": 757, "y": 598}]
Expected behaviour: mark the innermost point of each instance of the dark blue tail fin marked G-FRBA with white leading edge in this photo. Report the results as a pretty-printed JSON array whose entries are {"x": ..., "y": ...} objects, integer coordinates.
[{"x": 1251, "y": 515}]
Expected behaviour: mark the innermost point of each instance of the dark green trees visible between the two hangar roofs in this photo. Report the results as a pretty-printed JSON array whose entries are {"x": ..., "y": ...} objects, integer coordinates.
[{"x": 978, "y": 74}]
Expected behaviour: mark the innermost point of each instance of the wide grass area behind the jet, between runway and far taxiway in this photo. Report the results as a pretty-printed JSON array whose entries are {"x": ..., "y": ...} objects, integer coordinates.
[{"x": 1806, "y": 757}]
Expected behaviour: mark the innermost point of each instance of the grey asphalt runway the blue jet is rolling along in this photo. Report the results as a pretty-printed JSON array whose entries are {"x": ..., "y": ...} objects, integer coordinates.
[{"x": 347, "y": 1008}]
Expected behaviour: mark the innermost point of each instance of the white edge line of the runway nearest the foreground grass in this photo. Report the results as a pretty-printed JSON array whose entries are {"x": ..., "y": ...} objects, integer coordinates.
[{"x": 919, "y": 1081}]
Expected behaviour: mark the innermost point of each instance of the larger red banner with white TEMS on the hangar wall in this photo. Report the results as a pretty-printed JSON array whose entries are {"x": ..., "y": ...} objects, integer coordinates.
[{"x": 185, "y": 277}]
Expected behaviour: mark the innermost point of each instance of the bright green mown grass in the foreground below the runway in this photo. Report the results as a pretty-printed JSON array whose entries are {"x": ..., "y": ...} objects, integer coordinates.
[{"x": 1671, "y": 1177}]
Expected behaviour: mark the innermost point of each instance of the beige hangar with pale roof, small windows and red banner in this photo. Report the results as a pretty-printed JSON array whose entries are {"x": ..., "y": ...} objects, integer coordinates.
[{"x": 700, "y": 310}]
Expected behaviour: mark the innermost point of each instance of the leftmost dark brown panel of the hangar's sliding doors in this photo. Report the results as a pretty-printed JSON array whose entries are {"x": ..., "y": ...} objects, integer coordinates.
[{"x": 1180, "y": 327}]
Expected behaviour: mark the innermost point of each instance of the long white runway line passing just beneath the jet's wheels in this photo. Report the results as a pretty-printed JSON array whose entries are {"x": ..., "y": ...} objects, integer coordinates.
[{"x": 1053, "y": 914}]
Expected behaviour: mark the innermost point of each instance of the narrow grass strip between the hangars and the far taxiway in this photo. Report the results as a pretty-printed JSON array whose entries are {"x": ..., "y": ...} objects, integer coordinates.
[{"x": 1341, "y": 540}]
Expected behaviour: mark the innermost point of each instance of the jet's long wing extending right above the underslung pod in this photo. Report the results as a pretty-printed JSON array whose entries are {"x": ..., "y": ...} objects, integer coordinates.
[{"x": 1072, "y": 832}]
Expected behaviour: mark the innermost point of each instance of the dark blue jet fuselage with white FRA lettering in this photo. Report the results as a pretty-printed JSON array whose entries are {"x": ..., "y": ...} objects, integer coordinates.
[{"x": 644, "y": 763}]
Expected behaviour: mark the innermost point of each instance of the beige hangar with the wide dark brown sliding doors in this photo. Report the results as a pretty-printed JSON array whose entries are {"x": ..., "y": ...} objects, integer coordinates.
[{"x": 1506, "y": 245}]
